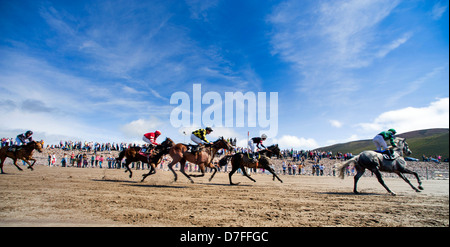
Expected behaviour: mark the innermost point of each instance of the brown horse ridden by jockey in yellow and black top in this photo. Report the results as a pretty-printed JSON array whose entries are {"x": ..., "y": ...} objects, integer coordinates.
[{"x": 203, "y": 158}]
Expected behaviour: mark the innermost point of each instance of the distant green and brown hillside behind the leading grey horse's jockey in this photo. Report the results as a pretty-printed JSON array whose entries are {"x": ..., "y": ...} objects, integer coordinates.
[{"x": 429, "y": 142}]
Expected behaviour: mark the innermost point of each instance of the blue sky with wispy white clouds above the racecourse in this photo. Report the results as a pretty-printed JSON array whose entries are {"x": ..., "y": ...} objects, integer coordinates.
[{"x": 106, "y": 70}]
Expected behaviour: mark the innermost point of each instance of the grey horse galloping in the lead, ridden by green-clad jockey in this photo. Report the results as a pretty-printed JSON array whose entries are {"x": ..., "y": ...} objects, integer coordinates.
[{"x": 376, "y": 162}]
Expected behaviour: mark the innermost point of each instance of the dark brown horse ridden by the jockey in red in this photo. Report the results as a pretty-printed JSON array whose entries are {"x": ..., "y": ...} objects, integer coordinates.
[{"x": 133, "y": 154}]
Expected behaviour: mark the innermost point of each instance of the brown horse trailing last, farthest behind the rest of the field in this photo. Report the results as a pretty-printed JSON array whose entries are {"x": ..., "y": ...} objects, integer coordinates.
[{"x": 25, "y": 153}]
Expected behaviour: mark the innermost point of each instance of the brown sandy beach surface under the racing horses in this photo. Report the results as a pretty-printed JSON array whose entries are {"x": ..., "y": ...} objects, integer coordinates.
[{"x": 70, "y": 196}]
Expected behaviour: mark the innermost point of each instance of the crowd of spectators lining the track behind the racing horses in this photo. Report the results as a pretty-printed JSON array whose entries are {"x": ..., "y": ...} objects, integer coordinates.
[{"x": 101, "y": 155}]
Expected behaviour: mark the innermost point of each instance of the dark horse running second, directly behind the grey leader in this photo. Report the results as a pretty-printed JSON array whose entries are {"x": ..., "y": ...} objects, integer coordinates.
[{"x": 241, "y": 160}]
